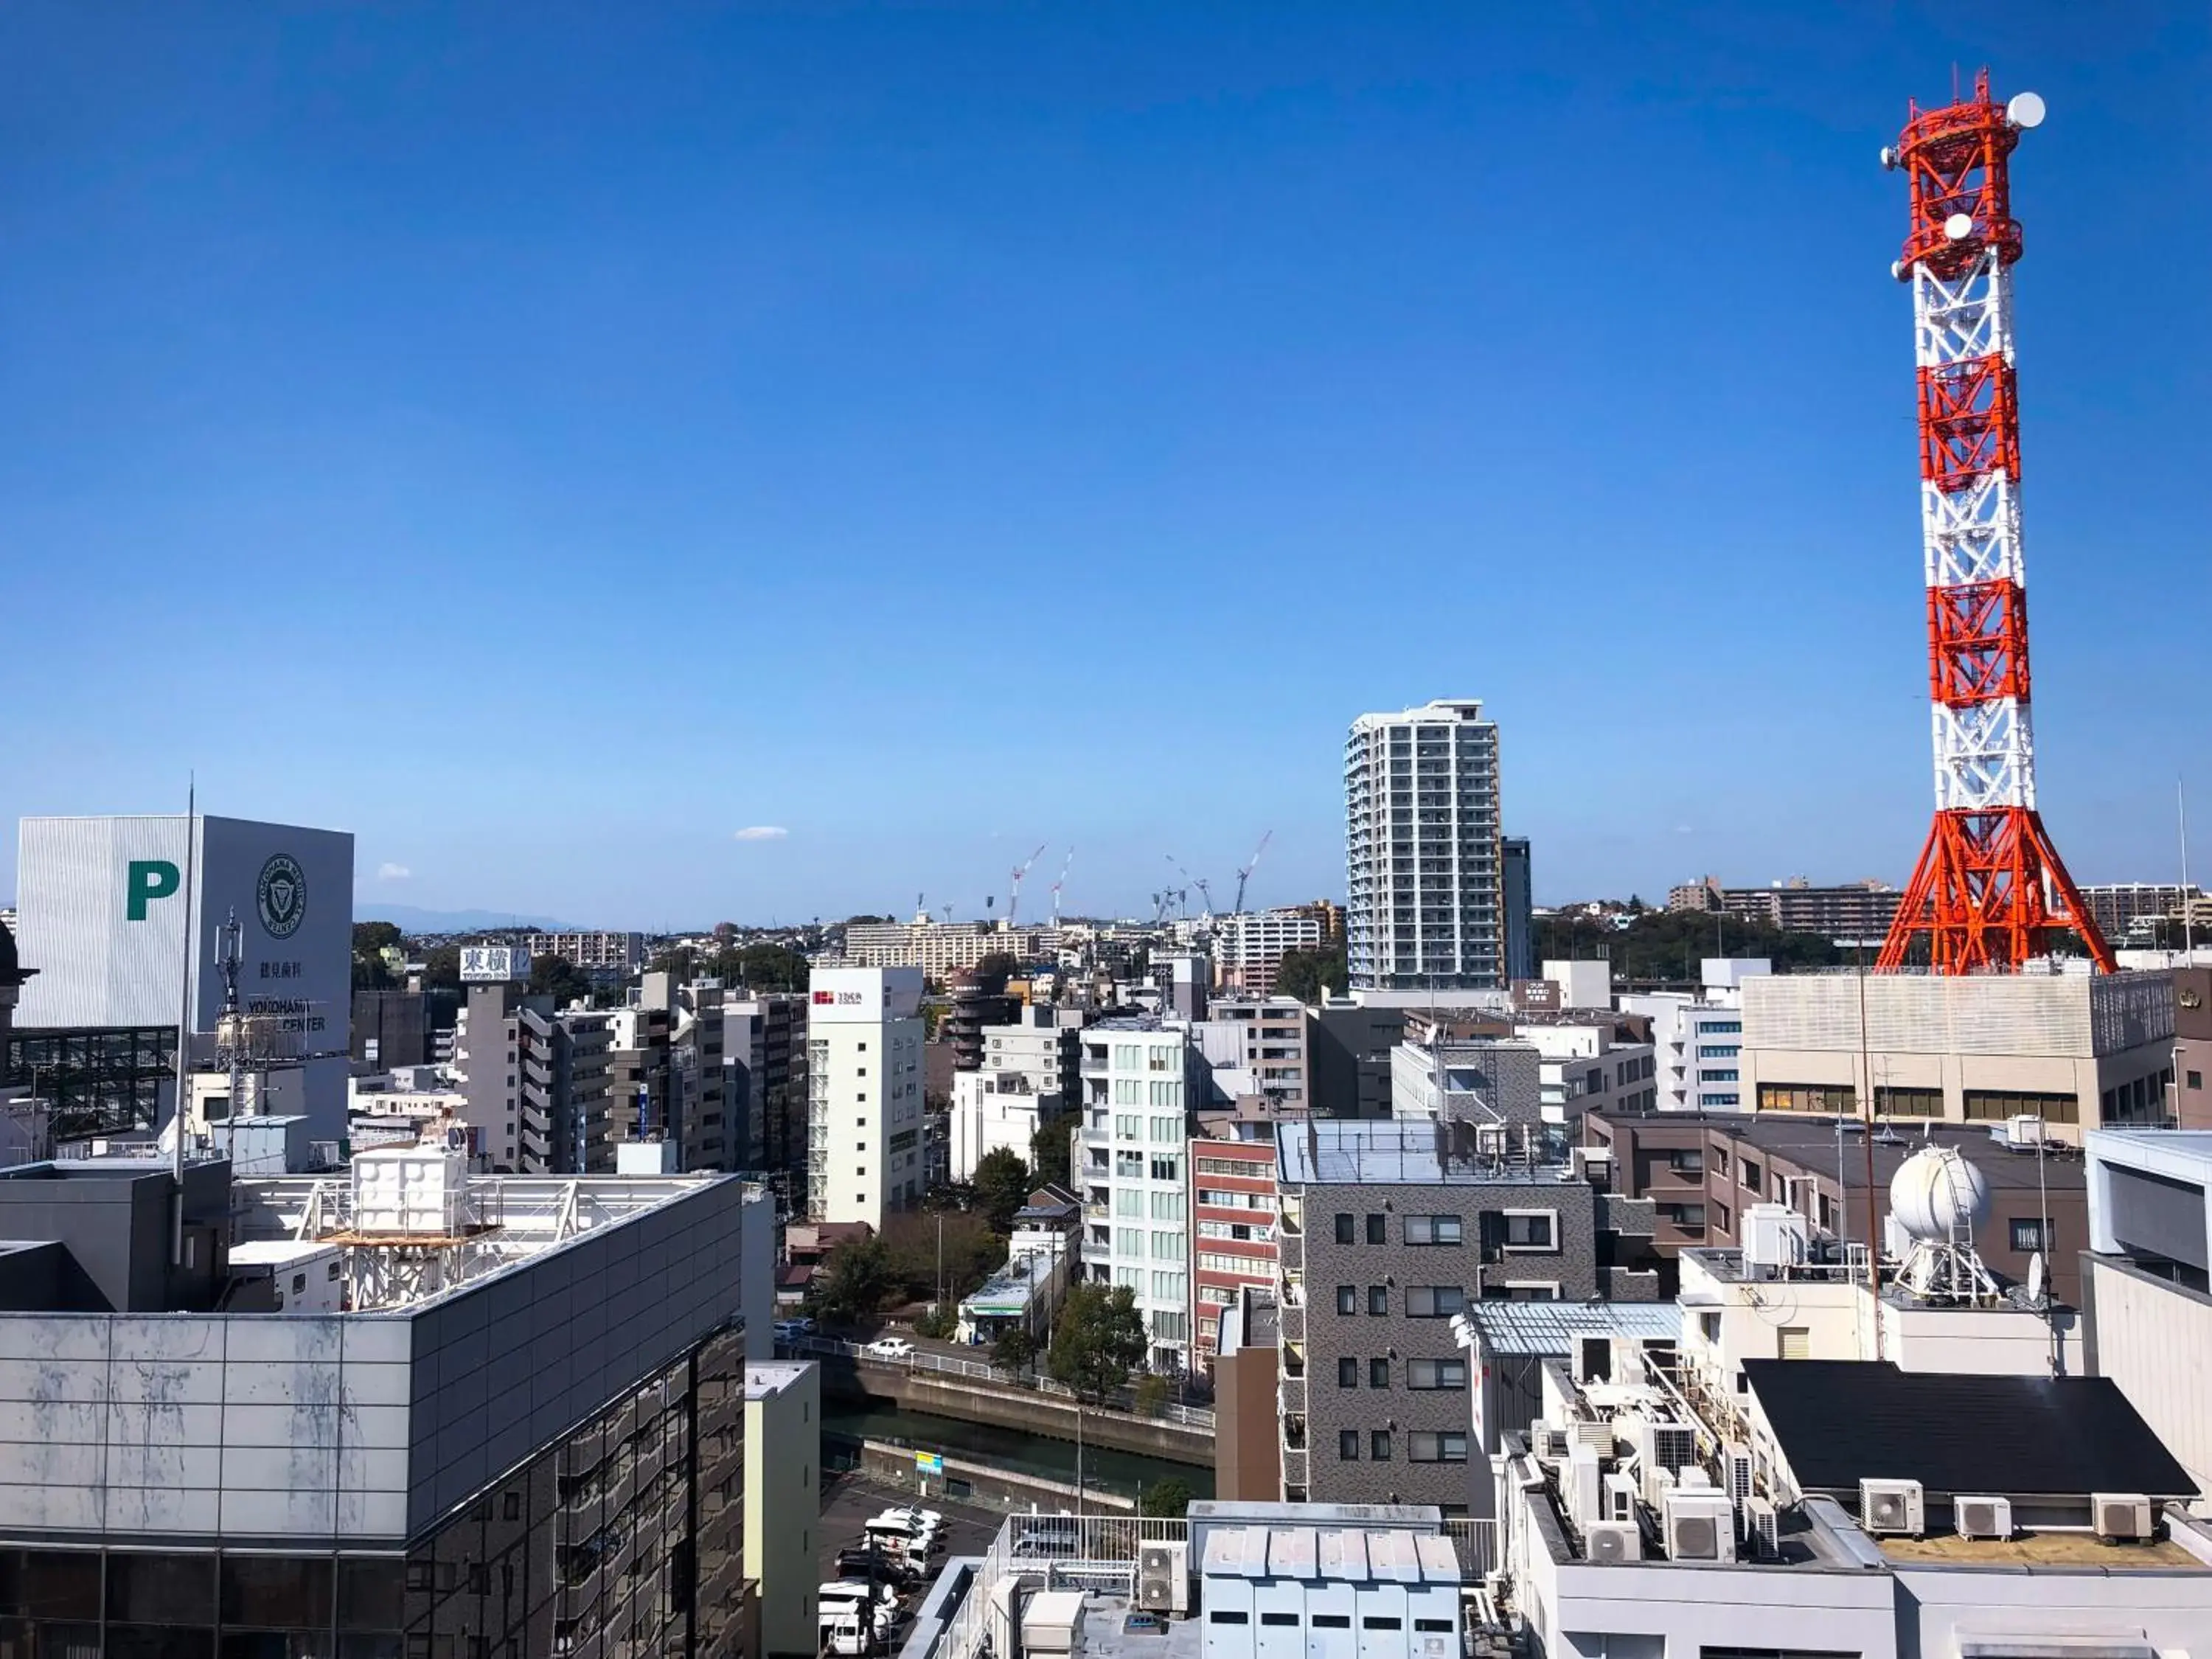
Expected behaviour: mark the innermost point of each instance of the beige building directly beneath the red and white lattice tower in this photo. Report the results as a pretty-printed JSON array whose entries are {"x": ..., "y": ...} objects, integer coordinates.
[{"x": 2076, "y": 1050}]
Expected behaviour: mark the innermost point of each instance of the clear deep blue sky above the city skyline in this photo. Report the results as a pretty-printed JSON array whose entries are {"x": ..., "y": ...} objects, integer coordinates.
[{"x": 547, "y": 441}]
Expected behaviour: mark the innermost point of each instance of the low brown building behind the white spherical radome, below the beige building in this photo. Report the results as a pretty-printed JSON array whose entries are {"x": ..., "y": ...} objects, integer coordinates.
[{"x": 1702, "y": 1173}]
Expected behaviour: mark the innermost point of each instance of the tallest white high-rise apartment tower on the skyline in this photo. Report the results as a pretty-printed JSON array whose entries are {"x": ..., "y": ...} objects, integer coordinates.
[{"x": 1423, "y": 862}]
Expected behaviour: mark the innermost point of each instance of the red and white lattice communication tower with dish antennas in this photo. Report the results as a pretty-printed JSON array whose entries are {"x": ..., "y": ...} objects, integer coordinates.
[{"x": 1990, "y": 890}]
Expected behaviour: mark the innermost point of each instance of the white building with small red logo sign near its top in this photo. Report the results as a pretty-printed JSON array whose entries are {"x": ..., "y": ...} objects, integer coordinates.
[{"x": 864, "y": 1094}]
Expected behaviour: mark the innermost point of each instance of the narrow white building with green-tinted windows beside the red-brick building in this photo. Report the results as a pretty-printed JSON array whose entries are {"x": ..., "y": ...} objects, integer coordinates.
[{"x": 1140, "y": 1078}]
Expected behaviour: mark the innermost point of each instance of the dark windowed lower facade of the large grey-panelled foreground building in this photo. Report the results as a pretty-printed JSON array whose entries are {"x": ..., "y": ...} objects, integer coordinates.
[{"x": 620, "y": 1543}]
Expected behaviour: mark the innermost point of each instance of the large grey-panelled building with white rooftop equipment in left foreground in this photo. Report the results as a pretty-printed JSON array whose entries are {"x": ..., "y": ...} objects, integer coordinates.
[{"x": 401, "y": 1412}]
